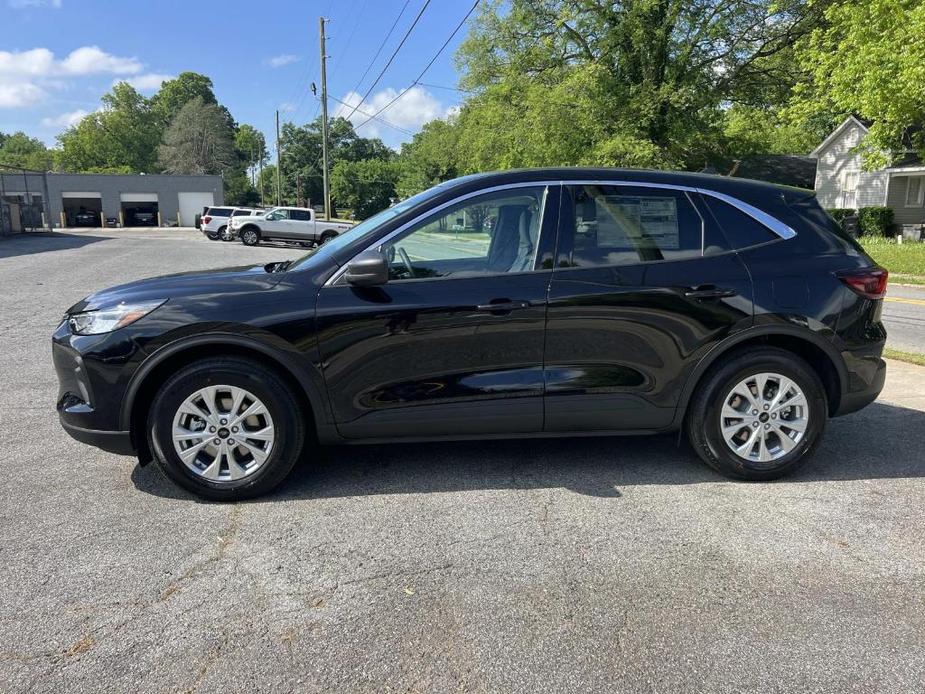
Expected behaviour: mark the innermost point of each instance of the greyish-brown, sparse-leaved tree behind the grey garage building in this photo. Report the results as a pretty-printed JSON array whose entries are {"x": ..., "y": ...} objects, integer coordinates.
[{"x": 198, "y": 141}]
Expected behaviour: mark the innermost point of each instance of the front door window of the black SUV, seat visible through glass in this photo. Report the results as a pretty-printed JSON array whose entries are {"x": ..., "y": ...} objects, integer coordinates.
[{"x": 489, "y": 234}]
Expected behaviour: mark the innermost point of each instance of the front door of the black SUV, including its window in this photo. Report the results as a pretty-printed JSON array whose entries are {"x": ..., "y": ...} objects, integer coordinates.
[{"x": 453, "y": 343}]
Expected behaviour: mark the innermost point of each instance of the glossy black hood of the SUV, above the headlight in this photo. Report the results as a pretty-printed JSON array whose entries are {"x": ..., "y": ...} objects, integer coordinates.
[{"x": 232, "y": 280}]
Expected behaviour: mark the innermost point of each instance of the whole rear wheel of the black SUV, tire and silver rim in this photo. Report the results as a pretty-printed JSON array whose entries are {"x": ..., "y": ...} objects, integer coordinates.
[{"x": 759, "y": 416}]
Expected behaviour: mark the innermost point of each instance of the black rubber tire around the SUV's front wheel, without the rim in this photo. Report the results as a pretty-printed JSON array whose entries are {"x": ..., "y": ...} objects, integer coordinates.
[{"x": 265, "y": 384}]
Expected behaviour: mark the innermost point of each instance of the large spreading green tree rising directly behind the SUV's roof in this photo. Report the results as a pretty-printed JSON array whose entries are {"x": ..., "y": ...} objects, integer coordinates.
[{"x": 634, "y": 83}]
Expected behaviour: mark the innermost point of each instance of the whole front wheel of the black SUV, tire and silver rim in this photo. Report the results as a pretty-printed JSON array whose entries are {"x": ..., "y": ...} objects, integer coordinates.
[{"x": 226, "y": 429}]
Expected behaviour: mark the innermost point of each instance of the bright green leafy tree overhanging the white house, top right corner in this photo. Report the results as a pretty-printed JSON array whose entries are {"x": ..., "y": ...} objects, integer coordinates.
[{"x": 868, "y": 59}]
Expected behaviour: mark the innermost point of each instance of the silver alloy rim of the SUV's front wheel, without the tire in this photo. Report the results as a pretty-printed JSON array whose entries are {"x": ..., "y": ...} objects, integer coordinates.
[{"x": 223, "y": 433}]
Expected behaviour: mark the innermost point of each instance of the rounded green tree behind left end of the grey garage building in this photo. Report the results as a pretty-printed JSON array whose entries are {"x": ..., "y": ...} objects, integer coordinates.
[{"x": 122, "y": 137}]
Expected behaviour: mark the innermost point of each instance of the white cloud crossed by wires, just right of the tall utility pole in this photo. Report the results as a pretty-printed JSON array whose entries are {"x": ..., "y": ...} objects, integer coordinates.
[{"x": 416, "y": 107}]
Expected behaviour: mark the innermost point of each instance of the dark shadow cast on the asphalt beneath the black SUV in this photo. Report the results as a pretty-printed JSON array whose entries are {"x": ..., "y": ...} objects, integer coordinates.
[{"x": 881, "y": 442}]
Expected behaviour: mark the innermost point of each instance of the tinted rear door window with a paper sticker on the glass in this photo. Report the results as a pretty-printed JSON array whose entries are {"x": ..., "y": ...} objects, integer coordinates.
[{"x": 622, "y": 225}]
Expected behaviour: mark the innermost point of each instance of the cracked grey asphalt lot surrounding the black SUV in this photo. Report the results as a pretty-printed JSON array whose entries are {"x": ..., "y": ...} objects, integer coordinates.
[{"x": 593, "y": 565}]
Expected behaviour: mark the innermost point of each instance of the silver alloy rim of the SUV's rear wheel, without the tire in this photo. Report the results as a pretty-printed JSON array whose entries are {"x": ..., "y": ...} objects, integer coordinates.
[{"x": 764, "y": 417}]
